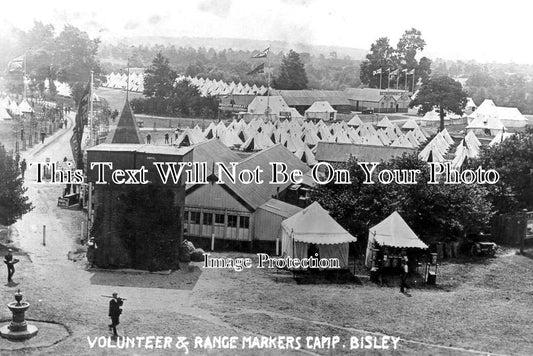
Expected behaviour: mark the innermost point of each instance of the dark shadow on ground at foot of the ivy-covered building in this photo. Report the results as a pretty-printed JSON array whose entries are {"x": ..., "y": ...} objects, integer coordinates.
[{"x": 183, "y": 279}]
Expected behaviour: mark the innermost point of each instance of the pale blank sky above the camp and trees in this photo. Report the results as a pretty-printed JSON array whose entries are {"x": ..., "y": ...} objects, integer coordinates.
[{"x": 486, "y": 31}]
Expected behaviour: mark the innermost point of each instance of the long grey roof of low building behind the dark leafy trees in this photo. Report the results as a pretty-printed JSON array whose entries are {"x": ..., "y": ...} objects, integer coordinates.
[{"x": 341, "y": 152}]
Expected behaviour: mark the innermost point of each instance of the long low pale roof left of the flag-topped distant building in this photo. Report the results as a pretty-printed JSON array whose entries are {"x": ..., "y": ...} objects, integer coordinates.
[{"x": 308, "y": 97}]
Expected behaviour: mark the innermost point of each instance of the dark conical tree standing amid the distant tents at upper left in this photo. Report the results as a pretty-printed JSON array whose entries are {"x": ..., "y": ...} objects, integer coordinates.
[{"x": 159, "y": 78}]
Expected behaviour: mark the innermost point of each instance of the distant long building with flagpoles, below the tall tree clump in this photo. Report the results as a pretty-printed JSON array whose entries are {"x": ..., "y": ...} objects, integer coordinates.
[{"x": 378, "y": 100}]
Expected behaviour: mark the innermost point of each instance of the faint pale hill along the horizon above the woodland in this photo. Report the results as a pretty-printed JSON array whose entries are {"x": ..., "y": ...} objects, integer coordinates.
[{"x": 240, "y": 44}]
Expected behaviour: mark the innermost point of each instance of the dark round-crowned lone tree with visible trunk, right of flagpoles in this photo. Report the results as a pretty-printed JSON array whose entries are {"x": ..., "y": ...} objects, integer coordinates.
[{"x": 442, "y": 92}]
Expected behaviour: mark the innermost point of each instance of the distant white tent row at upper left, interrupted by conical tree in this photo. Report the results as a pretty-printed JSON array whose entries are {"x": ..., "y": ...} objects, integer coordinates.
[{"x": 205, "y": 86}]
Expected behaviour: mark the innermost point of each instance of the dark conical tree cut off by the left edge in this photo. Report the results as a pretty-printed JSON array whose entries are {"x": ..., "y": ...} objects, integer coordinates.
[{"x": 13, "y": 202}]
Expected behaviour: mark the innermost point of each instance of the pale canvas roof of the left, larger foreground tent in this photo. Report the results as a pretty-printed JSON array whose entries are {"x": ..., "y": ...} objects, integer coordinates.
[{"x": 315, "y": 225}]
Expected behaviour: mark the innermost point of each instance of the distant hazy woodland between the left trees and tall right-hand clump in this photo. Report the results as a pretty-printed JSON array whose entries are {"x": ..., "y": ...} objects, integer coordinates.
[{"x": 322, "y": 71}]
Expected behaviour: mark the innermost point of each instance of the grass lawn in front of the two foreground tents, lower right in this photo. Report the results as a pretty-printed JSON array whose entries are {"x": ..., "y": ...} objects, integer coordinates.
[{"x": 482, "y": 305}]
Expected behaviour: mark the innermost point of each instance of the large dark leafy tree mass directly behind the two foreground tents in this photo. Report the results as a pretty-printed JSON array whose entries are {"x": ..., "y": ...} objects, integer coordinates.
[{"x": 433, "y": 210}]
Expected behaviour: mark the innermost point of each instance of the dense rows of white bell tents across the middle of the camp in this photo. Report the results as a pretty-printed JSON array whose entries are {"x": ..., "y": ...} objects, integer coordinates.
[{"x": 301, "y": 137}]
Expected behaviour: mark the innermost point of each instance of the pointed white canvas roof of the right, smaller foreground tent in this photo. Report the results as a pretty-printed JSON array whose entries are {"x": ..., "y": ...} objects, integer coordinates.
[{"x": 394, "y": 231}]
